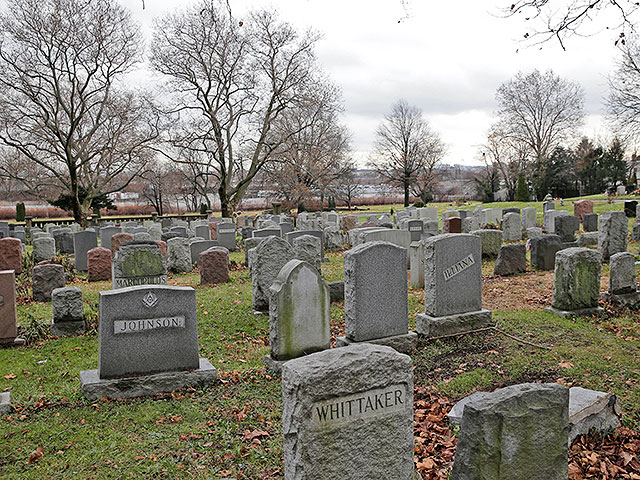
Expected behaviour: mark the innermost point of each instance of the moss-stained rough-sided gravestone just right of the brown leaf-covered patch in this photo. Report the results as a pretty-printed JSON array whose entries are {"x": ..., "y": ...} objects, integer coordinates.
[{"x": 576, "y": 282}]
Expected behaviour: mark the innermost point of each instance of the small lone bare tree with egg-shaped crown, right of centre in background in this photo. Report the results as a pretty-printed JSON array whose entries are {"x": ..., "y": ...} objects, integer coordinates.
[{"x": 406, "y": 147}]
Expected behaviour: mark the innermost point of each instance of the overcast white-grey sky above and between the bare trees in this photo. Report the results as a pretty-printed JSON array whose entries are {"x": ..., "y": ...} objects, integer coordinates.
[{"x": 447, "y": 58}]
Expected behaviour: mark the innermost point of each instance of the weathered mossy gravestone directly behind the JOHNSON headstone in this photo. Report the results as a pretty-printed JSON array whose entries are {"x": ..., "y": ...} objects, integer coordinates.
[{"x": 138, "y": 264}]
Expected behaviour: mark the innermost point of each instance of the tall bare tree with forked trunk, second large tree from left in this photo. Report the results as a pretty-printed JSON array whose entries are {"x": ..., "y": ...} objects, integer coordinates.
[{"x": 230, "y": 80}]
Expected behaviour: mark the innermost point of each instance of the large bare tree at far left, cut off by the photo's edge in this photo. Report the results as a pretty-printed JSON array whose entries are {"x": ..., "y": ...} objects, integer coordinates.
[{"x": 62, "y": 107}]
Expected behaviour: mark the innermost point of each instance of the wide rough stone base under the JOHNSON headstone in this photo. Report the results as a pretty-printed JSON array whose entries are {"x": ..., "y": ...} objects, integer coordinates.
[{"x": 94, "y": 387}]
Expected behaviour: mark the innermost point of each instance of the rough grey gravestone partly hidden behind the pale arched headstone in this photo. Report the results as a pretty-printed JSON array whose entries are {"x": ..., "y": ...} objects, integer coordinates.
[{"x": 269, "y": 257}]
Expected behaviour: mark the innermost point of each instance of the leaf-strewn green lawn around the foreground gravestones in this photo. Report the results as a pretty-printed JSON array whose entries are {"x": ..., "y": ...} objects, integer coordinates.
[{"x": 233, "y": 429}]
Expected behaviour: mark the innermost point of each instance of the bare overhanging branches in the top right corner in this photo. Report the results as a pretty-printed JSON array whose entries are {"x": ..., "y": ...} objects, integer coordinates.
[{"x": 560, "y": 20}]
